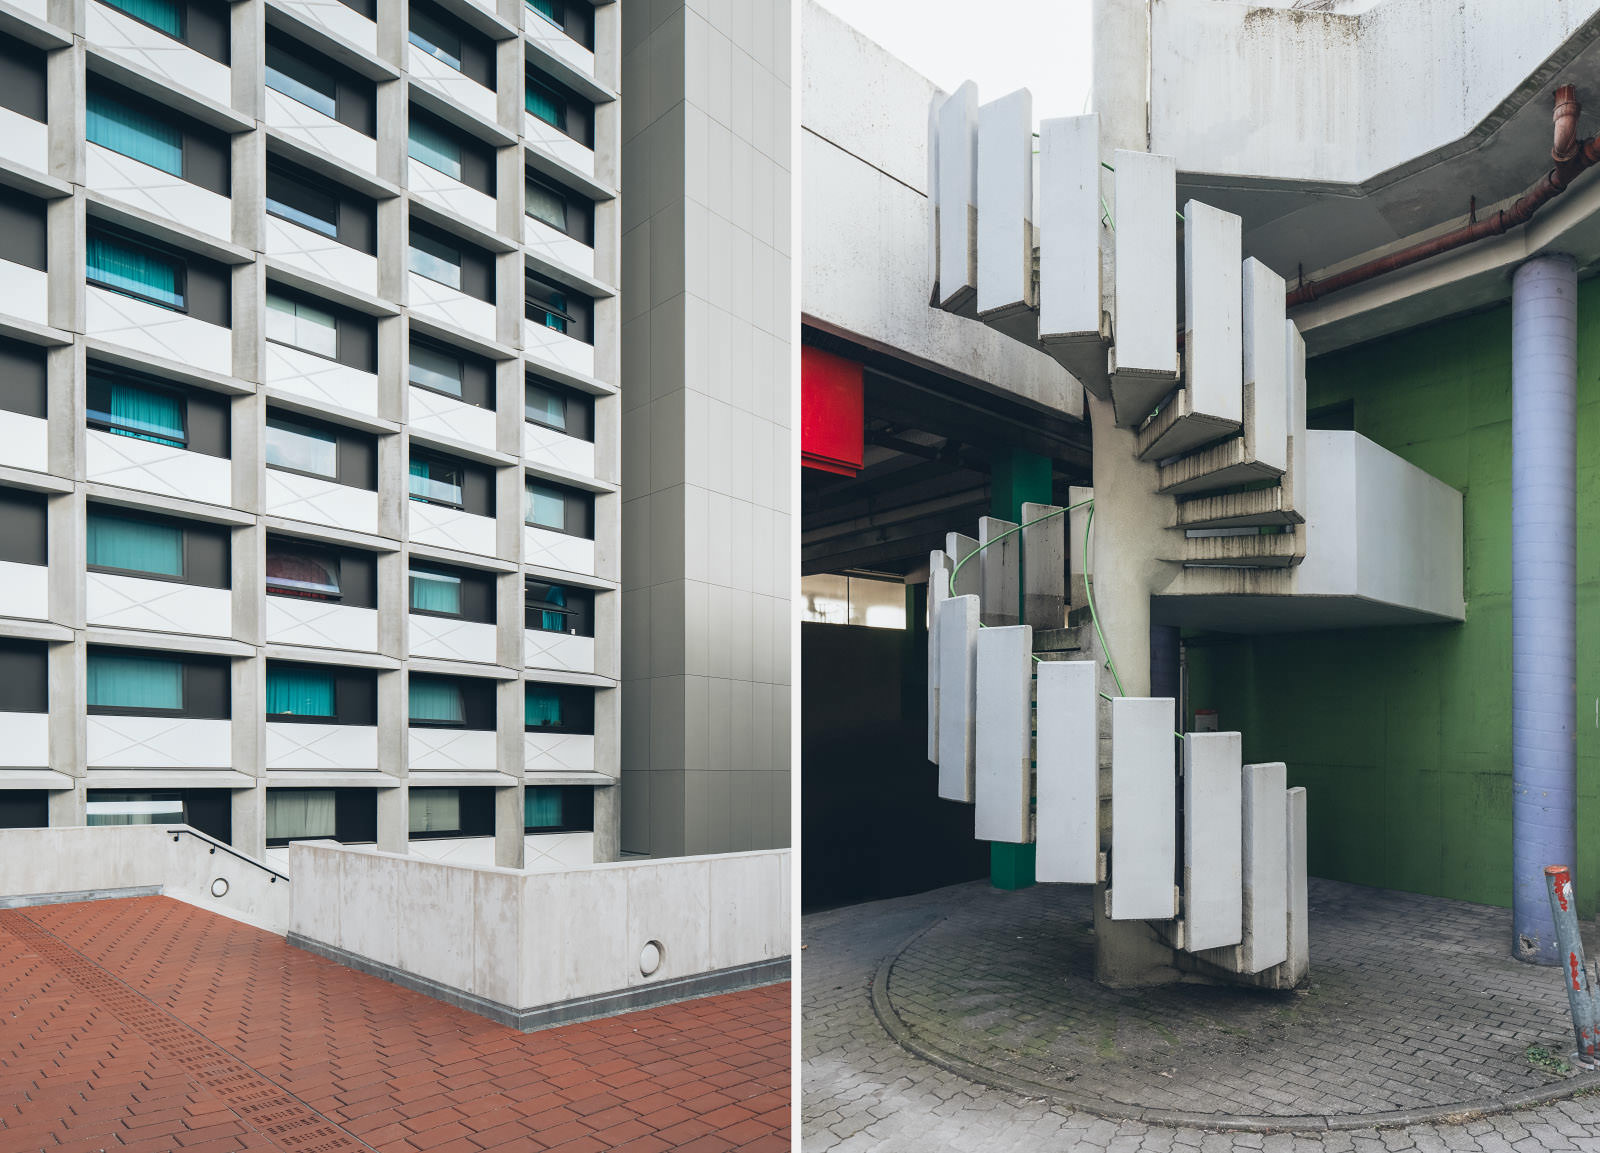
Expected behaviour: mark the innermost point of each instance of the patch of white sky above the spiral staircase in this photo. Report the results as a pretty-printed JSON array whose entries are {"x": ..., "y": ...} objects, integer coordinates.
[{"x": 1042, "y": 46}]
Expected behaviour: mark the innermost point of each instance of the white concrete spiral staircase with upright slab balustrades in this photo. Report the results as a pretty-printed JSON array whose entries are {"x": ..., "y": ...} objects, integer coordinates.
[{"x": 1023, "y": 720}]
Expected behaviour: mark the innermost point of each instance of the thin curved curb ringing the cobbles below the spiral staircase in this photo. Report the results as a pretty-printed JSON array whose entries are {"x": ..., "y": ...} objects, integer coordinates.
[{"x": 1452, "y": 1114}]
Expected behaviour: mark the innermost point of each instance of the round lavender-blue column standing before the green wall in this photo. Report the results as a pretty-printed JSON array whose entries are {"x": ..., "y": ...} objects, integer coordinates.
[{"x": 1543, "y": 592}]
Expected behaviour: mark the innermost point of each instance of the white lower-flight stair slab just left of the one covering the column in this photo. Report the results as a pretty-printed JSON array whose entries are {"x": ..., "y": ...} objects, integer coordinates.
[{"x": 1068, "y": 778}]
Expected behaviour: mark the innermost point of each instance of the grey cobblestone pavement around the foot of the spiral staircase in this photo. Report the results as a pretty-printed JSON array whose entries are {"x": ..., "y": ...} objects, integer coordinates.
[{"x": 862, "y": 1091}]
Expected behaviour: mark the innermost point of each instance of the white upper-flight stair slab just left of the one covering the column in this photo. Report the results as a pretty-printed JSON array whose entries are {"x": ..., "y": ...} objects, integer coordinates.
[{"x": 1070, "y": 229}]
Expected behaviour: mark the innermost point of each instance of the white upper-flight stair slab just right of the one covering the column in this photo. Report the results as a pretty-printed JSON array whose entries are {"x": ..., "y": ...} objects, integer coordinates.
[{"x": 1214, "y": 345}]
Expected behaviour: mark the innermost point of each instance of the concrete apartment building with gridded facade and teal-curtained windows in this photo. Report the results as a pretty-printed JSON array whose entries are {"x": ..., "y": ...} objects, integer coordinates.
[{"x": 313, "y": 426}]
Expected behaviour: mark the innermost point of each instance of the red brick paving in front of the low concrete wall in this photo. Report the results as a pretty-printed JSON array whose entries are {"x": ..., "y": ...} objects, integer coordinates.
[{"x": 146, "y": 1024}]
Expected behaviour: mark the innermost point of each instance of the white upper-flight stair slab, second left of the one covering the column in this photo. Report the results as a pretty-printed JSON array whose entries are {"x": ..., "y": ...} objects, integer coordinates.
[{"x": 1006, "y": 205}]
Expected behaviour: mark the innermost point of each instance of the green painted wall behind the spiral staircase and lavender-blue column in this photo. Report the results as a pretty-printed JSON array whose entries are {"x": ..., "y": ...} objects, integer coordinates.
[{"x": 1402, "y": 736}]
